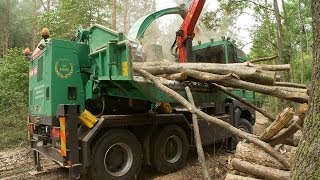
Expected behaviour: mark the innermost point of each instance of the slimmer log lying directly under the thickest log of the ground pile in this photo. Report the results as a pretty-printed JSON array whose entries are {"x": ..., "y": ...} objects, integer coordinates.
[{"x": 258, "y": 170}]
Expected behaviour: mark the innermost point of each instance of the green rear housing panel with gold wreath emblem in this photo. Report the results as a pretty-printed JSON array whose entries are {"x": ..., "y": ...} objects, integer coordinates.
[{"x": 48, "y": 86}]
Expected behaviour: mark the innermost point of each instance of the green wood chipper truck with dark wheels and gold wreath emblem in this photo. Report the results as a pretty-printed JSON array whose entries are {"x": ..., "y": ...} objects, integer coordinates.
[{"x": 90, "y": 113}]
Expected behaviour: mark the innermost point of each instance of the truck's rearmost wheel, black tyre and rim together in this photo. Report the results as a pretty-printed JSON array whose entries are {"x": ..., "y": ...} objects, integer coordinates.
[{"x": 116, "y": 155}]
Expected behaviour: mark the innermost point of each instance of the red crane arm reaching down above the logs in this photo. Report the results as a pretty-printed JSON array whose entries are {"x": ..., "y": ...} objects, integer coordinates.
[{"x": 186, "y": 32}]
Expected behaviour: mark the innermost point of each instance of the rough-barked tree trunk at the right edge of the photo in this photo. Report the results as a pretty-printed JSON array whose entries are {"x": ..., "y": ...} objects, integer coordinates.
[{"x": 307, "y": 160}]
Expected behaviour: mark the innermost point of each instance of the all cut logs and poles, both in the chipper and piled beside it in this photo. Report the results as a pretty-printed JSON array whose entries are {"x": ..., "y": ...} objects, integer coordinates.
[{"x": 257, "y": 156}]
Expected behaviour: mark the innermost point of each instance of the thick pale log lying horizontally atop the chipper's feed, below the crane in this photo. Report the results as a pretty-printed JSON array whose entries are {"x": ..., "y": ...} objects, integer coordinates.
[{"x": 245, "y": 73}]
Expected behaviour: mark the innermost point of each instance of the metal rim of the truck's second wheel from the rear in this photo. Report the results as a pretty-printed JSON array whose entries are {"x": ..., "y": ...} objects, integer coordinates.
[{"x": 172, "y": 149}]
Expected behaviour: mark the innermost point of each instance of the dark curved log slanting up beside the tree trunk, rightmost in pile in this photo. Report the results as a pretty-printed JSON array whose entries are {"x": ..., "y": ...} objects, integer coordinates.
[{"x": 298, "y": 119}]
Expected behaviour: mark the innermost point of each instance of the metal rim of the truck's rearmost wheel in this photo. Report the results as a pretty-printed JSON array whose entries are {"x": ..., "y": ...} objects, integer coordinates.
[{"x": 118, "y": 159}]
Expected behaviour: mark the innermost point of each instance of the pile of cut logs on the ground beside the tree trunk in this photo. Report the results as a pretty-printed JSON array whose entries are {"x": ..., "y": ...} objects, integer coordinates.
[{"x": 254, "y": 161}]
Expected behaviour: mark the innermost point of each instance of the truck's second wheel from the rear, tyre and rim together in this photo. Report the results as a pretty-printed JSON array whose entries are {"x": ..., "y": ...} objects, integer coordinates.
[{"x": 169, "y": 149}]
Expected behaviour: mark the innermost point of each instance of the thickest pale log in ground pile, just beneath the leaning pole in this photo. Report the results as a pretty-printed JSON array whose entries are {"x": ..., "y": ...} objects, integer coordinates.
[{"x": 251, "y": 153}]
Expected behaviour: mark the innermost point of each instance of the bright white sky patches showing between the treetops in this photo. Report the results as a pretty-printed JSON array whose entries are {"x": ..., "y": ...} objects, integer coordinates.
[{"x": 244, "y": 22}]
